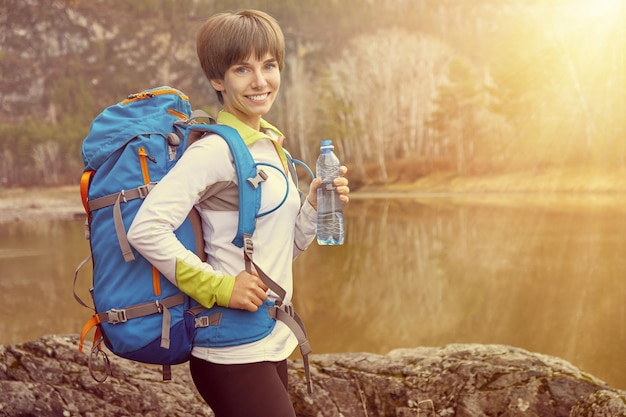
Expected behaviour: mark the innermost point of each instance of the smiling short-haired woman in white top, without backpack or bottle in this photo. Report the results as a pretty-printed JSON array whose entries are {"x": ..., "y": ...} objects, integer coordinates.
[{"x": 242, "y": 55}]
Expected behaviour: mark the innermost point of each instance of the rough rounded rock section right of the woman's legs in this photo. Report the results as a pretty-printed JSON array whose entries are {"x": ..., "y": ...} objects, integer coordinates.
[{"x": 456, "y": 380}]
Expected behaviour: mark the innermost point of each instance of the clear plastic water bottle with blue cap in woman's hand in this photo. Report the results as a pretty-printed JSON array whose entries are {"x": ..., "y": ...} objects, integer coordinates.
[{"x": 329, "y": 207}]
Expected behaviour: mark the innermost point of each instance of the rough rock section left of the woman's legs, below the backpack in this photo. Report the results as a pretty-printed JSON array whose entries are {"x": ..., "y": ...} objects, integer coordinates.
[{"x": 49, "y": 377}]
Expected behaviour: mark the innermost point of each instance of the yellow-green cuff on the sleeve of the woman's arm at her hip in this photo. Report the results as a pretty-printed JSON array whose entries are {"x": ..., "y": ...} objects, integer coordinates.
[{"x": 207, "y": 288}]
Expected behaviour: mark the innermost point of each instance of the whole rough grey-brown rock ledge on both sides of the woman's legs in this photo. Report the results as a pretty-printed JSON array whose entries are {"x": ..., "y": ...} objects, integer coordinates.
[{"x": 48, "y": 377}]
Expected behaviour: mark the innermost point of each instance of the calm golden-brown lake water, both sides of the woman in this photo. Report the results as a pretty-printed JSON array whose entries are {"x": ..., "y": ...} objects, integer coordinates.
[{"x": 544, "y": 273}]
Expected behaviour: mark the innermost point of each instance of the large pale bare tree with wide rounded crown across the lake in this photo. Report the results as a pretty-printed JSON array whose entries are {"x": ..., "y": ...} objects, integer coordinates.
[{"x": 379, "y": 93}]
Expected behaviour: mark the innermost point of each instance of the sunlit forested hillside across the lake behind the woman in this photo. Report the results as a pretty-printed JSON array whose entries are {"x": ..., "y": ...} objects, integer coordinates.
[{"x": 406, "y": 88}]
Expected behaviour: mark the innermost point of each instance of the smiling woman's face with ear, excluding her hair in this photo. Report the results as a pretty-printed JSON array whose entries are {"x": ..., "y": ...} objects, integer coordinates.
[{"x": 249, "y": 88}]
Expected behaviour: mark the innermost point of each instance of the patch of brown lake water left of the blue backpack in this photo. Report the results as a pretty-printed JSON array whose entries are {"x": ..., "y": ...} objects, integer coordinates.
[{"x": 36, "y": 260}]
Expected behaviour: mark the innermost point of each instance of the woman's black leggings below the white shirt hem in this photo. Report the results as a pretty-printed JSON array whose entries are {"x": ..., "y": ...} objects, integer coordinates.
[{"x": 247, "y": 390}]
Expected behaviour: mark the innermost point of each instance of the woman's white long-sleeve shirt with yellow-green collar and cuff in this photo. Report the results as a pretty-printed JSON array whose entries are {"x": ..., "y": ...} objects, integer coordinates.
[{"x": 279, "y": 237}]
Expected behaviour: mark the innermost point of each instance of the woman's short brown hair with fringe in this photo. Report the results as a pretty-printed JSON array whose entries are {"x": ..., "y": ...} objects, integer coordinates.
[{"x": 227, "y": 38}]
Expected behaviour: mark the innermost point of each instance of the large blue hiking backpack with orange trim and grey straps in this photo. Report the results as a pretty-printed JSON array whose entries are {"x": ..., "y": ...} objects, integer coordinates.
[{"x": 139, "y": 314}]
